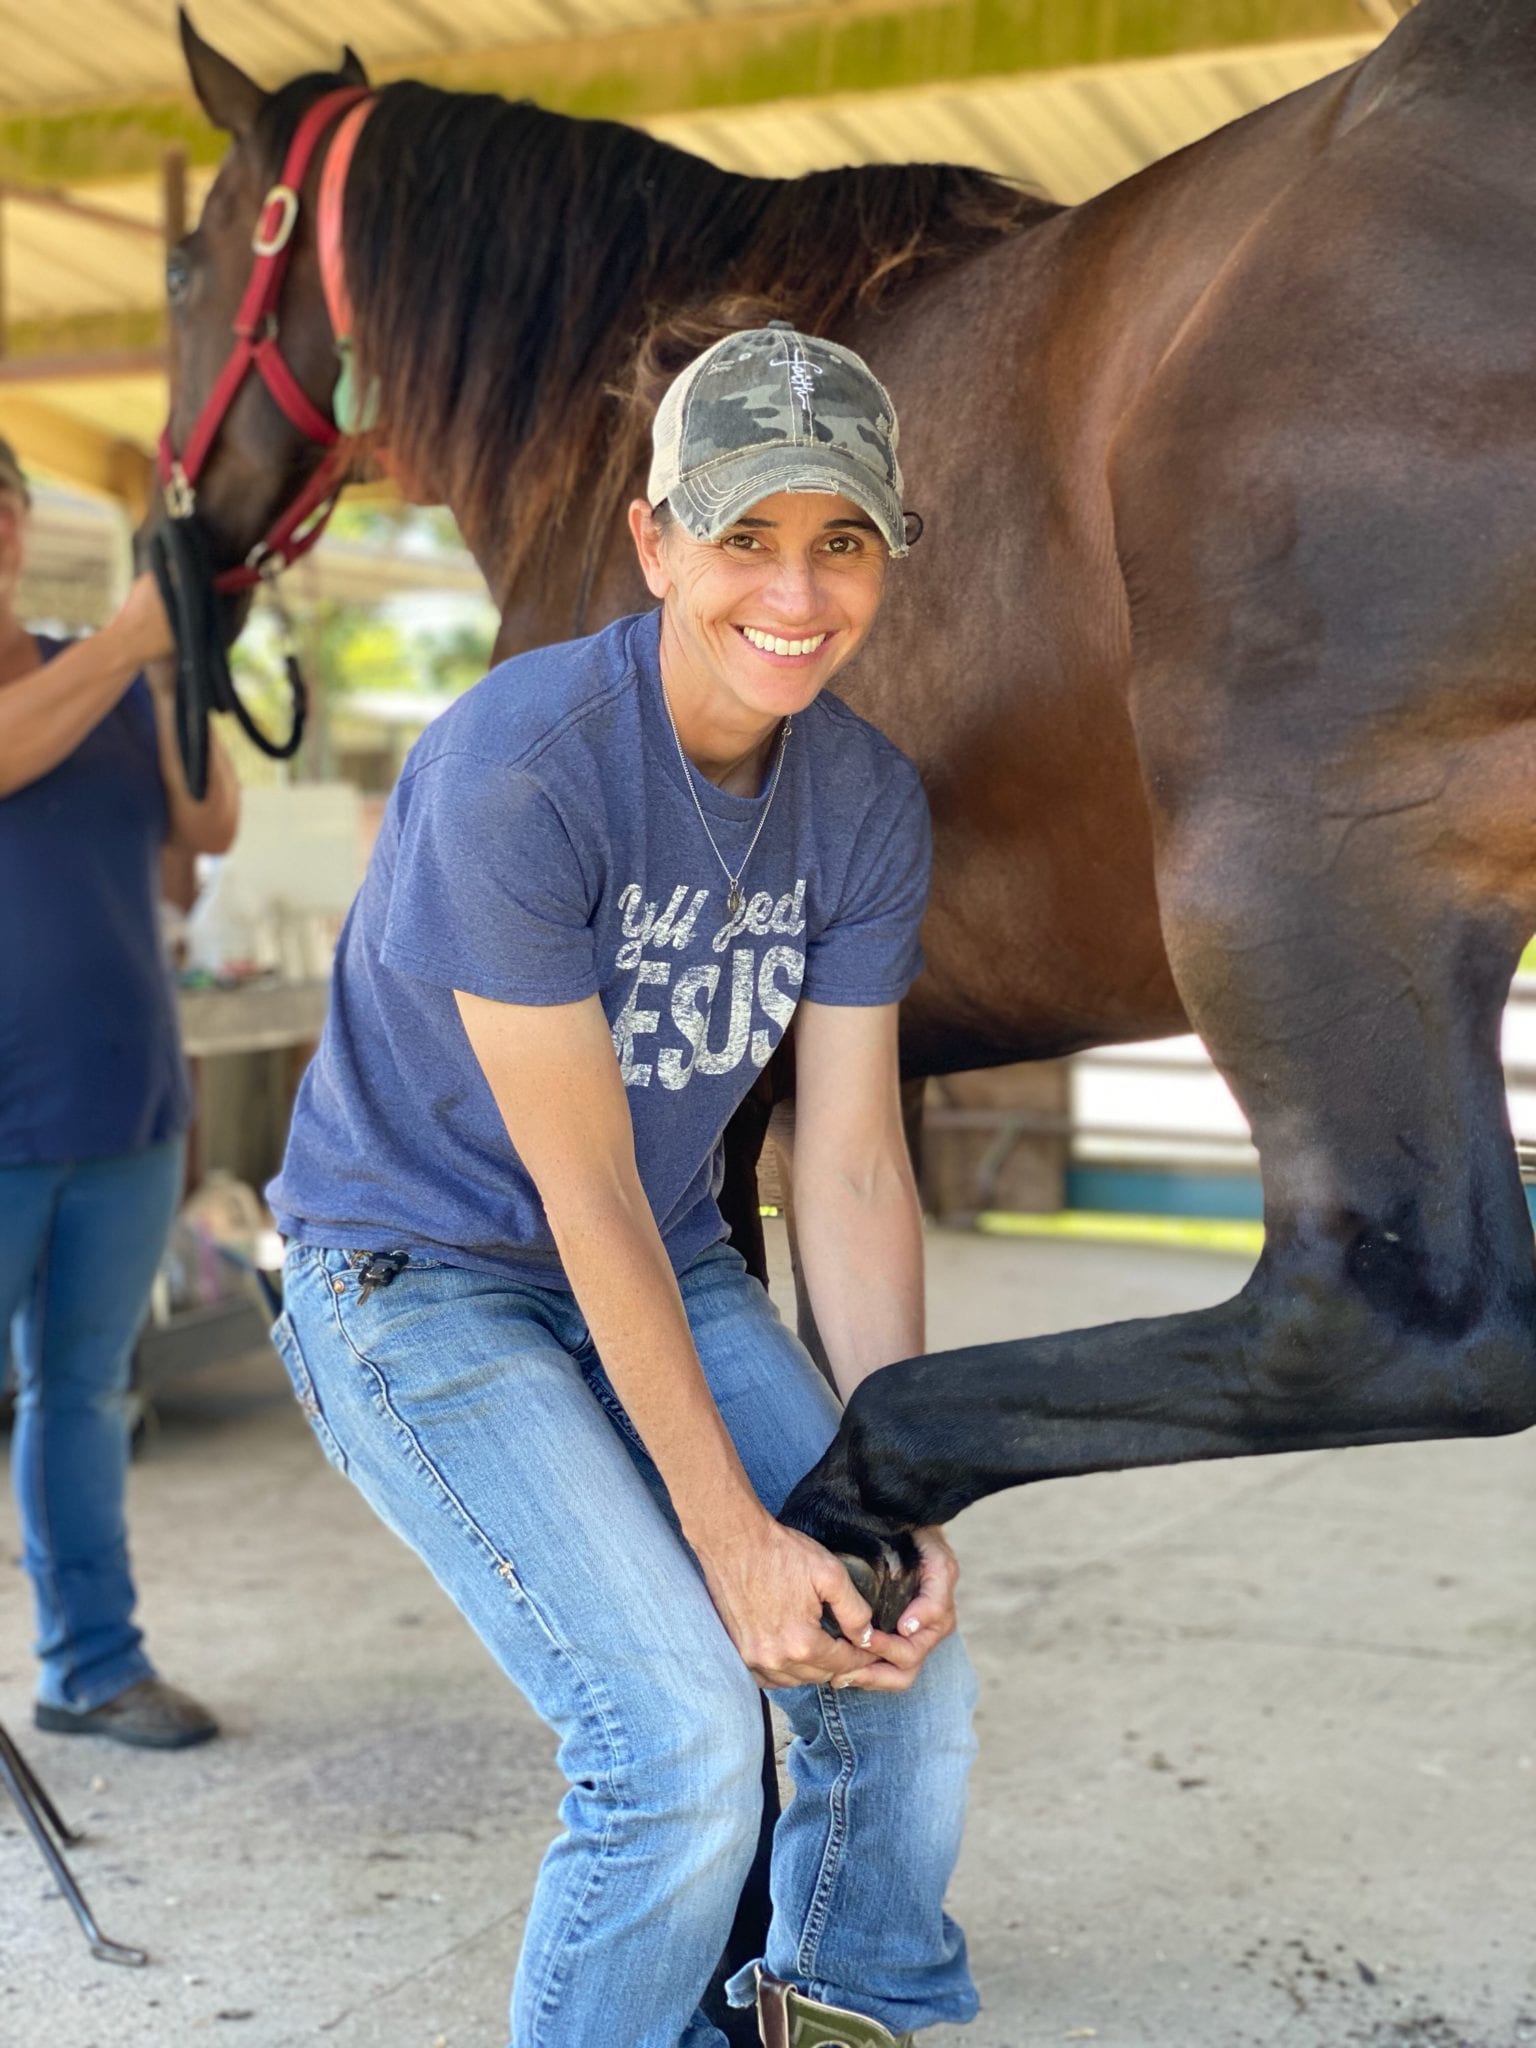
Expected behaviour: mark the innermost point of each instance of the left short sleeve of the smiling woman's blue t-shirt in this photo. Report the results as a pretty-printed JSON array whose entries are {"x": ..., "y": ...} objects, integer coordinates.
[{"x": 488, "y": 892}]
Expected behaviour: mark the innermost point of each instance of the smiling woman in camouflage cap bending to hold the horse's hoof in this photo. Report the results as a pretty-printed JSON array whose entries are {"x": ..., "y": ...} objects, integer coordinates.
[{"x": 603, "y": 884}]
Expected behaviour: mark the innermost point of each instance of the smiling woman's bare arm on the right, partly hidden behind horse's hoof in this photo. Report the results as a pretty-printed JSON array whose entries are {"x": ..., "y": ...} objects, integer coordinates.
[{"x": 859, "y": 1226}]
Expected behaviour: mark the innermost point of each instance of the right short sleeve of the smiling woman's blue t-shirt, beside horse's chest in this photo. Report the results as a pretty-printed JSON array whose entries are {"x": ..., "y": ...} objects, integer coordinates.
[{"x": 869, "y": 951}]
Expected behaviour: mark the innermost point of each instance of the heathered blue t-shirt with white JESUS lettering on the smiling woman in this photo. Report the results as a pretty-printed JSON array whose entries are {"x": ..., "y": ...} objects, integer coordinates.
[{"x": 542, "y": 847}]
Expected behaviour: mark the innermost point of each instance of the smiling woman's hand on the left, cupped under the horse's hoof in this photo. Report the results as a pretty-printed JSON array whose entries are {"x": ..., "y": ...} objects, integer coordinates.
[{"x": 769, "y": 1586}]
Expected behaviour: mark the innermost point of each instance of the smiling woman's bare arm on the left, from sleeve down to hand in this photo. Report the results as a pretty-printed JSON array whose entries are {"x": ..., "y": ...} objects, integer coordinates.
[{"x": 556, "y": 1082}]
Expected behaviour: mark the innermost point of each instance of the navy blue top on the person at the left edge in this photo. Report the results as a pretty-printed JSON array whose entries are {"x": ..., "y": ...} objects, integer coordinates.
[{"x": 91, "y": 1056}]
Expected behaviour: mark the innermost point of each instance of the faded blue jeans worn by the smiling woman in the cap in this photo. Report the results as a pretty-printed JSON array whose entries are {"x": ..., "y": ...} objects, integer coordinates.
[{"x": 480, "y": 1424}]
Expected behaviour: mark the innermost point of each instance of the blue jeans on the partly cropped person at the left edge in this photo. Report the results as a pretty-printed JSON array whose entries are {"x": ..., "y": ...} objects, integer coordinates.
[{"x": 79, "y": 1250}]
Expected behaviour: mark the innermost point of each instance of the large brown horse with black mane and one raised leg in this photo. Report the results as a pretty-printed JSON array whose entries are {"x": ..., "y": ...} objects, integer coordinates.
[{"x": 1215, "y": 656}]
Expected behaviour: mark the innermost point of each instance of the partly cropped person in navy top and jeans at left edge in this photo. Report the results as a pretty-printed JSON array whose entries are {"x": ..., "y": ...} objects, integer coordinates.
[{"x": 93, "y": 1107}]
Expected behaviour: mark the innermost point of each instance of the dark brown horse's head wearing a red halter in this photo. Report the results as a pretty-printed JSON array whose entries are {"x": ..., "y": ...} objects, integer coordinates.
[{"x": 253, "y": 450}]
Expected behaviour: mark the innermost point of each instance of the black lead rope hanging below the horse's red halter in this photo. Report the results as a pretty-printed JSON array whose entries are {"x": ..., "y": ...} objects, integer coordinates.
[{"x": 183, "y": 568}]
